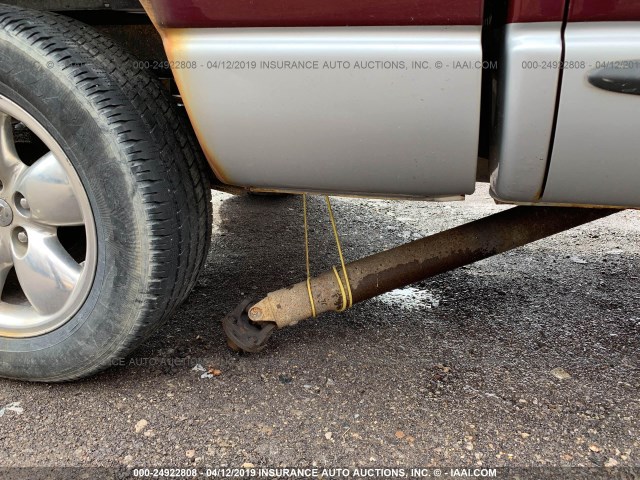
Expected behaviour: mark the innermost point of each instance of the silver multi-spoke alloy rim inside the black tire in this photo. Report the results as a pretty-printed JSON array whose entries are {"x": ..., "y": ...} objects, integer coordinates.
[{"x": 48, "y": 246}]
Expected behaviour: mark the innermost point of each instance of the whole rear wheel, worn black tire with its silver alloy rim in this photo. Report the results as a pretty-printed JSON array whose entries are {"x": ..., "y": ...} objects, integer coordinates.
[{"x": 105, "y": 204}]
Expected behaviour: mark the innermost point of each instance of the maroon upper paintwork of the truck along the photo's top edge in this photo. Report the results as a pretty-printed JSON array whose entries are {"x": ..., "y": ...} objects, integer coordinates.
[{"x": 307, "y": 13}]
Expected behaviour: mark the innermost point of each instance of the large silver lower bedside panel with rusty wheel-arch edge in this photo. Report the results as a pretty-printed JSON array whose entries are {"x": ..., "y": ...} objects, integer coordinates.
[{"x": 386, "y": 129}]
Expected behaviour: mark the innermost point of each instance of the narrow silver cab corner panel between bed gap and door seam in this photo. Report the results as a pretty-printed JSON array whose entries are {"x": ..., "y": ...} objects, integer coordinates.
[{"x": 526, "y": 105}]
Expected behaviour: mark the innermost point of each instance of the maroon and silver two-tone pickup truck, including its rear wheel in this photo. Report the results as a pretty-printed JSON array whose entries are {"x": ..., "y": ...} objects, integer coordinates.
[{"x": 118, "y": 117}]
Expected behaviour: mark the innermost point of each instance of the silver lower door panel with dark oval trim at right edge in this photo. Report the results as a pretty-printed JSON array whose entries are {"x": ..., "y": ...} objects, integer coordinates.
[{"x": 596, "y": 153}]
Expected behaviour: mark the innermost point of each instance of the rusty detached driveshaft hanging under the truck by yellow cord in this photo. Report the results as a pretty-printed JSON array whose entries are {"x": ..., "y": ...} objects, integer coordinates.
[{"x": 410, "y": 263}]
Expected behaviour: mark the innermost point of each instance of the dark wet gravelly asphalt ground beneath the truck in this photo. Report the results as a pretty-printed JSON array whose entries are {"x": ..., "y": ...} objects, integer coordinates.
[{"x": 526, "y": 359}]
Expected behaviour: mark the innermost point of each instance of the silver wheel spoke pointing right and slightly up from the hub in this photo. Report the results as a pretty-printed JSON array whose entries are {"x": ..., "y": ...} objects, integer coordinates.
[{"x": 49, "y": 193}]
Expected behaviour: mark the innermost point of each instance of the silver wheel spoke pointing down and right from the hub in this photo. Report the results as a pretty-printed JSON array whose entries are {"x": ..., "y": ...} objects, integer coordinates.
[{"x": 47, "y": 273}]
